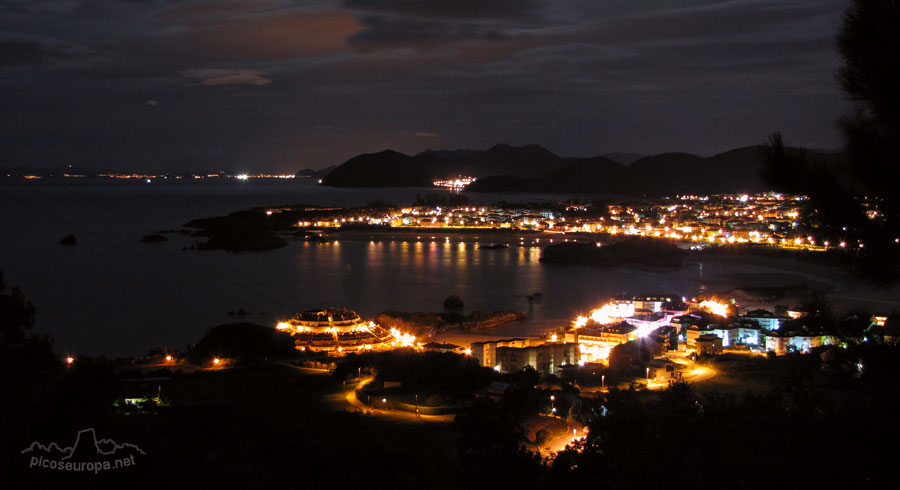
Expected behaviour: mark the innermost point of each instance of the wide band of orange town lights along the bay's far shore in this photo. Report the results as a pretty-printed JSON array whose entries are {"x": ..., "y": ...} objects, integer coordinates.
[{"x": 724, "y": 220}]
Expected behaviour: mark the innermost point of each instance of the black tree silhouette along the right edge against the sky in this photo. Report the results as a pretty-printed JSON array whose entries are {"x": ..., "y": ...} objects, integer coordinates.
[{"x": 841, "y": 195}]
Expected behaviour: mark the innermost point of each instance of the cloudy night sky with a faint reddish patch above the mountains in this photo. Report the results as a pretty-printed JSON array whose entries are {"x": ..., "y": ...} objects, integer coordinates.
[{"x": 281, "y": 85}]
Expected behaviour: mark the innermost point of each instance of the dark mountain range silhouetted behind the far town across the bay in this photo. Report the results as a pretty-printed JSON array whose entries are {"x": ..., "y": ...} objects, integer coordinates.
[{"x": 531, "y": 168}]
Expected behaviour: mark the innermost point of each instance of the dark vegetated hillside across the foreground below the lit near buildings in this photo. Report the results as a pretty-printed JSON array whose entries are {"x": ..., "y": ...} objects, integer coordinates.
[{"x": 820, "y": 423}]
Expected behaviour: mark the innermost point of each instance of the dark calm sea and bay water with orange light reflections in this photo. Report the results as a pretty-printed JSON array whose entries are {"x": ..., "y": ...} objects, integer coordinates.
[{"x": 114, "y": 295}]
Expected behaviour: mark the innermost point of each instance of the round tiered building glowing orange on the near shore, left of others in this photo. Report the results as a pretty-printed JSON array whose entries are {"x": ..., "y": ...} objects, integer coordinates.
[{"x": 340, "y": 331}]
